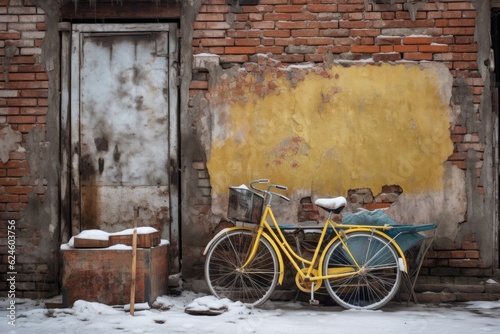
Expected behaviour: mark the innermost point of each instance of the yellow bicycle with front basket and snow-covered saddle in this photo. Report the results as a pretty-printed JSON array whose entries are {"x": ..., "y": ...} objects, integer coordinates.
[{"x": 360, "y": 265}]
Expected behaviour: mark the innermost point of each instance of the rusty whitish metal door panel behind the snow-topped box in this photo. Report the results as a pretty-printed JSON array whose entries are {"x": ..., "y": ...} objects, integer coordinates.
[{"x": 122, "y": 128}]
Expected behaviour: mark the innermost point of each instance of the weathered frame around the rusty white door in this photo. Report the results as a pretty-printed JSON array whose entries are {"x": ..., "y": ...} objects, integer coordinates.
[{"x": 69, "y": 119}]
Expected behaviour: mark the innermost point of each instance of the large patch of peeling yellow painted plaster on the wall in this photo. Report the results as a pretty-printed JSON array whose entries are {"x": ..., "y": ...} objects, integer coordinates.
[{"x": 331, "y": 130}]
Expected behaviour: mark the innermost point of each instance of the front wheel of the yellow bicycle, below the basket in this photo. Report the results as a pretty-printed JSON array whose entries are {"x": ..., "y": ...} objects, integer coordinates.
[{"x": 225, "y": 277}]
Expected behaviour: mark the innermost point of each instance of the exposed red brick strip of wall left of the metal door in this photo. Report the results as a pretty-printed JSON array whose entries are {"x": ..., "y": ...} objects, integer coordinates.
[{"x": 23, "y": 106}]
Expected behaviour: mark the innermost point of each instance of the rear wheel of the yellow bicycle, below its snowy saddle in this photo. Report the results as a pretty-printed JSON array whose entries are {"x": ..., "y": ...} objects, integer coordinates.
[{"x": 367, "y": 268}]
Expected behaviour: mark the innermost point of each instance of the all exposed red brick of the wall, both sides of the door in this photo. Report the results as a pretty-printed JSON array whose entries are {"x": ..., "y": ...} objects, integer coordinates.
[{"x": 290, "y": 31}]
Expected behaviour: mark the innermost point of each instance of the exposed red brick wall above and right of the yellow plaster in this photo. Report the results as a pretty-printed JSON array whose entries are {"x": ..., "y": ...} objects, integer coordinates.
[{"x": 296, "y": 31}]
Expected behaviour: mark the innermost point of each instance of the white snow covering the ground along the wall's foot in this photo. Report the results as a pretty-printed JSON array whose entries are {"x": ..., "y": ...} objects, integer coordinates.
[{"x": 168, "y": 315}]
